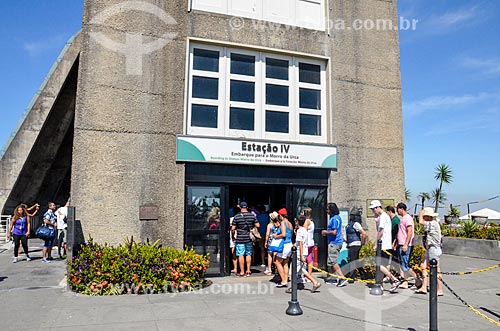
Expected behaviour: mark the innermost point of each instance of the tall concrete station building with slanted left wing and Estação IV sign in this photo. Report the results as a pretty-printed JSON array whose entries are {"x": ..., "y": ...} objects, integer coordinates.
[{"x": 161, "y": 110}]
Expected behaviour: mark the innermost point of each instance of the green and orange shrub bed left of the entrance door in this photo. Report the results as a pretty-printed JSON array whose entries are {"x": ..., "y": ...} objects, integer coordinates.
[{"x": 135, "y": 268}]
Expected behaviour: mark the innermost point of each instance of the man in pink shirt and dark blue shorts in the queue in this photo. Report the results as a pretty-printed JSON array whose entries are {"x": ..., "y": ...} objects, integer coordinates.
[{"x": 405, "y": 243}]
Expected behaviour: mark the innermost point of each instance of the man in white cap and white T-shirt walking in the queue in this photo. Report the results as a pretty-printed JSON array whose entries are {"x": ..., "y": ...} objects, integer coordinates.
[{"x": 384, "y": 233}]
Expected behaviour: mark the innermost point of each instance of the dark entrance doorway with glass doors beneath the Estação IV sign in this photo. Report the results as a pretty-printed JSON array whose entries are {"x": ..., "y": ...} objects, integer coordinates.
[{"x": 212, "y": 192}]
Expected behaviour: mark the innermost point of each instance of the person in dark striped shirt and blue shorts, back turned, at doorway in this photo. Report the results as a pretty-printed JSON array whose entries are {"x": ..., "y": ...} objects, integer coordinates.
[{"x": 240, "y": 233}]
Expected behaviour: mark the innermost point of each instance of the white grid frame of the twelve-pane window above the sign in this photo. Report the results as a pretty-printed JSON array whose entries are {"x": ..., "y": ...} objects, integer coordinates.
[{"x": 259, "y": 106}]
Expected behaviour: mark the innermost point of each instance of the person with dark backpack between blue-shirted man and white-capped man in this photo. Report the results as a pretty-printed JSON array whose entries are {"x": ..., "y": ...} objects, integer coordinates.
[{"x": 355, "y": 237}]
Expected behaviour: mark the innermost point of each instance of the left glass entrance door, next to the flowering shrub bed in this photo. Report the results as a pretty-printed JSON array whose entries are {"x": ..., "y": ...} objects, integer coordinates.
[{"x": 205, "y": 228}]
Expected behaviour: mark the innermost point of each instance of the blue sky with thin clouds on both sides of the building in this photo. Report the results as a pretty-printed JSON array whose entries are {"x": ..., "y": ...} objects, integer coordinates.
[{"x": 450, "y": 67}]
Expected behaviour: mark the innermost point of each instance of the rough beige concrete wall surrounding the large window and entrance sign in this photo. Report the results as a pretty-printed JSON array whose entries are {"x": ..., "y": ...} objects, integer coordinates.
[{"x": 125, "y": 128}]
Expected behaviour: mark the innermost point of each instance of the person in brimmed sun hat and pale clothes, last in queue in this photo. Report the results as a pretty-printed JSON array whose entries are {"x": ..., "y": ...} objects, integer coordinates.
[{"x": 427, "y": 218}]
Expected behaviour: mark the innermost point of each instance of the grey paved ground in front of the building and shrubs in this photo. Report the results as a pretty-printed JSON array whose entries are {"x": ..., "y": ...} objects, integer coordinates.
[{"x": 32, "y": 297}]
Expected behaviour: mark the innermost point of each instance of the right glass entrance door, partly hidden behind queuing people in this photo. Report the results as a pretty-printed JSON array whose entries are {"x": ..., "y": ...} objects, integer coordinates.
[{"x": 314, "y": 198}]
